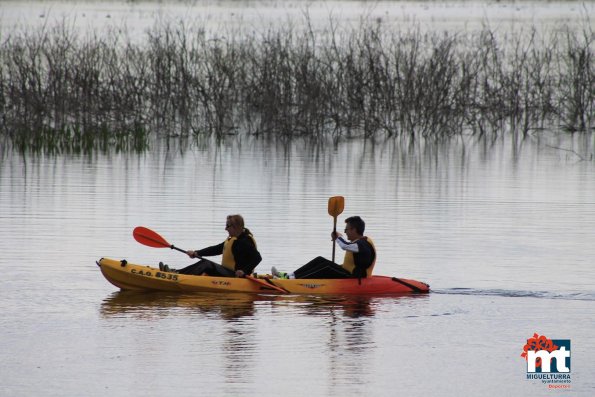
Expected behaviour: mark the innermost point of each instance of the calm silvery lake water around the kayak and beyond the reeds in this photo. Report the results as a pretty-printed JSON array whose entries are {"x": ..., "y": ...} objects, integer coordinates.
[{"x": 502, "y": 230}]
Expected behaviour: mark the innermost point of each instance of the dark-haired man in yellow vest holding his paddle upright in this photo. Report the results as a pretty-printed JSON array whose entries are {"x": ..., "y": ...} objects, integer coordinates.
[{"x": 360, "y": 256}]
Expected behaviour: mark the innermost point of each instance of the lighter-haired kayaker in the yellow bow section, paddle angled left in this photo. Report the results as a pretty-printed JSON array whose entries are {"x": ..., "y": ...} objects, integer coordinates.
[{"x": 240, "y": 254}]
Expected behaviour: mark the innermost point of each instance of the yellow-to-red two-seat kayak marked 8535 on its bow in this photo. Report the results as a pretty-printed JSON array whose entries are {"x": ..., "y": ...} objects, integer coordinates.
[{"x": 129, "y": 276}]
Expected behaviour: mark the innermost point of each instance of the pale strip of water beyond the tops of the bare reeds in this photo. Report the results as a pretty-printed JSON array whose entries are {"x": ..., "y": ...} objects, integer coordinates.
[{"x": 135, "y": 17}]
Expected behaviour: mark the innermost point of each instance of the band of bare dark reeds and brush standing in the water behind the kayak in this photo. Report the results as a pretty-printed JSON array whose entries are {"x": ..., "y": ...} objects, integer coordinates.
[{"x": 61, "y": 92}]
